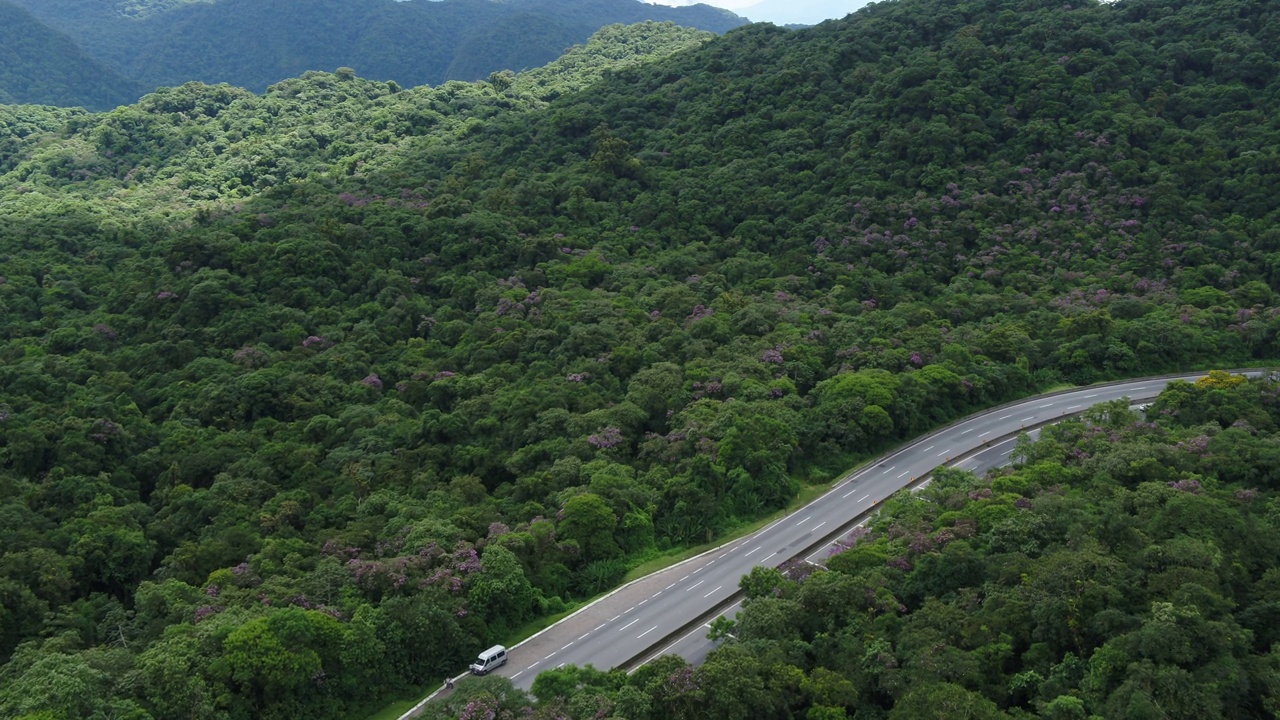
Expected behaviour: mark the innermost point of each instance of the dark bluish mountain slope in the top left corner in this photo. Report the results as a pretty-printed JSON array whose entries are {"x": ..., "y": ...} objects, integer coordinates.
[{"x": 42, "y": 66}]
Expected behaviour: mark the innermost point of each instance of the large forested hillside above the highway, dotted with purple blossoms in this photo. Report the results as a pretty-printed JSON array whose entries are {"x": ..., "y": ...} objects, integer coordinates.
[{"x": 310, "y": 395}]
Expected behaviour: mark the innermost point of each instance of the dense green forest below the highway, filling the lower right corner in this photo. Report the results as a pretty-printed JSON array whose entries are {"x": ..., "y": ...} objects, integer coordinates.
[{"x": 1124, "y": 567}]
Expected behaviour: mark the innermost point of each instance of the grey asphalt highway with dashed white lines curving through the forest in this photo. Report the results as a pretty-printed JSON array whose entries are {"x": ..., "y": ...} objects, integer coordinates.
[{"x": 668, "y": 612}]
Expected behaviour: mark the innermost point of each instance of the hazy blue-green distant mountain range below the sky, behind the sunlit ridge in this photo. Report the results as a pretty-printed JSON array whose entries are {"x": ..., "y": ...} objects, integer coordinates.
[{"x": 257, "y": 43}]
